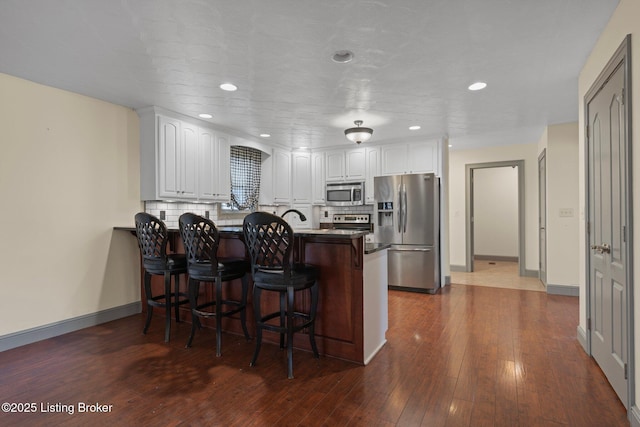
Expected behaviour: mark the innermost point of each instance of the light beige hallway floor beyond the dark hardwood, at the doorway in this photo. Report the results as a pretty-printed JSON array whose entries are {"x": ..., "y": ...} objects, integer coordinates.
[{"x": 497, "y": 274}]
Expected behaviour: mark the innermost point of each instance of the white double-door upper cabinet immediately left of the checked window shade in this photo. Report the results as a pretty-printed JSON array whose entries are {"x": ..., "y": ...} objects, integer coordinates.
[{"x": 215, "y": 174}]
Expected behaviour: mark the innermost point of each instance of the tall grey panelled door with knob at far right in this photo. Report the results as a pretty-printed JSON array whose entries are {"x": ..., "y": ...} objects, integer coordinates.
[{"x": 607, "y": 213}]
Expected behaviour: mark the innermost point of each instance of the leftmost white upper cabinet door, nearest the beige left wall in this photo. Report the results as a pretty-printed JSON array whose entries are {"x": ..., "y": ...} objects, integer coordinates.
[{"x": 168, "y": 179}]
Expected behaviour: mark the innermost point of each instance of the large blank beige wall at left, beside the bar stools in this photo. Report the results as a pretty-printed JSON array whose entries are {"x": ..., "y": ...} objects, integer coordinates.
[{"x": 69, "y": 172}]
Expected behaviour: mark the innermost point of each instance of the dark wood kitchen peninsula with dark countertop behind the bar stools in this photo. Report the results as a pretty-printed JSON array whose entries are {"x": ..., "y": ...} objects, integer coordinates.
[{"x": 352, "y": 310}]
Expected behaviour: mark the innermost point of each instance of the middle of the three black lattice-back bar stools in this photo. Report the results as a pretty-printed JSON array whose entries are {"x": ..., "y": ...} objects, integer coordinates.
[{"x": 201, "y": 240}]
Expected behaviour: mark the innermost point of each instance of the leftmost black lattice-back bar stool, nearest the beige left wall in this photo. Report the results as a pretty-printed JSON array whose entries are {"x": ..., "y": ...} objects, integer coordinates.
[{"x": 152, "y": 240}]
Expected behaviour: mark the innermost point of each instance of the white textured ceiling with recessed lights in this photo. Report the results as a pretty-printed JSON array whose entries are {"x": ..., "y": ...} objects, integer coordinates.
[{"x": 413, "y": 61}]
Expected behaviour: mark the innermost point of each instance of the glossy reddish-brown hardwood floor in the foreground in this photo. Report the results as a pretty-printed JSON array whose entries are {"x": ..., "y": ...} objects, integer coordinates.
[{"x": 467, "y": 356}]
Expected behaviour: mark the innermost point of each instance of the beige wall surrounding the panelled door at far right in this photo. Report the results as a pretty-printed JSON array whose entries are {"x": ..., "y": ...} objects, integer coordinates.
[{"x": 624, "y": 21}]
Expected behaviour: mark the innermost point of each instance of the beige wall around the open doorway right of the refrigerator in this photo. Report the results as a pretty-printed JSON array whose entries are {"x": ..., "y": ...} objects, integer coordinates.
[{"x": 458, "y": 159}]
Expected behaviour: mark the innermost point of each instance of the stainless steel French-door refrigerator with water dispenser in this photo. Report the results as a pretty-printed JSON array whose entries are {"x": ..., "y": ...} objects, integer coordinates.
[{"x": 408, "y": 216}]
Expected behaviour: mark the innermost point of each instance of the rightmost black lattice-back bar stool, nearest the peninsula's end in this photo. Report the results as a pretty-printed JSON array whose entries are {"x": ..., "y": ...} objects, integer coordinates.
[{"x": 269, "y": 241}]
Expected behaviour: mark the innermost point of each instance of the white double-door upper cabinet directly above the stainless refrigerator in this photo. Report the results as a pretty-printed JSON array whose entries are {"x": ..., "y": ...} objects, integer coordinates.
[{"x": 415, "y": 157}]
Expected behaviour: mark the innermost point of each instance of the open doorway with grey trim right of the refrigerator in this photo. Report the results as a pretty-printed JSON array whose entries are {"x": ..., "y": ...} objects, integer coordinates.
[{"x": 479, "y": 238}]
